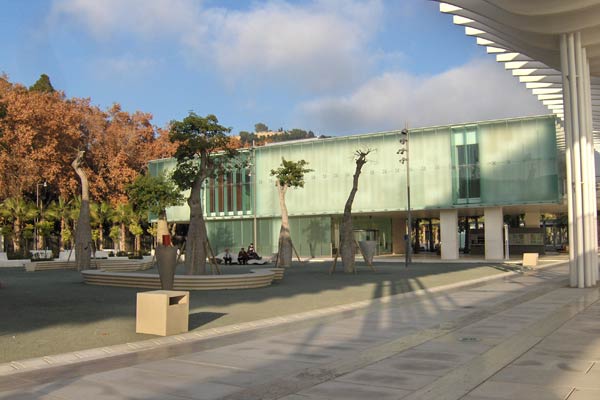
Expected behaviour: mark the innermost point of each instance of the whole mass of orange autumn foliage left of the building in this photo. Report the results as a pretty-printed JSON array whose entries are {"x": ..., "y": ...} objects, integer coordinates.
[{"x": 42, "y": 132}]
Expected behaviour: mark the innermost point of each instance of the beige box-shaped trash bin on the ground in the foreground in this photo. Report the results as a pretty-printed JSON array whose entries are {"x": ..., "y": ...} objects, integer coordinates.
[{"x": 162, "y": 312}]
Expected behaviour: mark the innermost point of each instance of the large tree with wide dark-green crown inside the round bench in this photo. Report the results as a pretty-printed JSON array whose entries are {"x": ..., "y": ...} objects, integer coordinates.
[{"x": 198, "y": 140}]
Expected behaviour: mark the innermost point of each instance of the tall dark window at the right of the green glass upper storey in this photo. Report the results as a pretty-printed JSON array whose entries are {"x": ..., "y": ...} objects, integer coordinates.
[{"x": 466, "y": 165}]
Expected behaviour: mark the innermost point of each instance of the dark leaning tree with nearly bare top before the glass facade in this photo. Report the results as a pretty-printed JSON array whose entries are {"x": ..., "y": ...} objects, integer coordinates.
[{"x": 347, "y": 242}]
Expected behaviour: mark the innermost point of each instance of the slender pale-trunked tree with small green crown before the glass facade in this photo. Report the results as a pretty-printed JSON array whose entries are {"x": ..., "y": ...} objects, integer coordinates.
[{"x": 289, "y": 174}]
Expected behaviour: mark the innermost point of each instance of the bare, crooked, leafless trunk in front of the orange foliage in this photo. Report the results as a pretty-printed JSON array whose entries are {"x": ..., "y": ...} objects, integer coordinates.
[{"x": 83, "y": 232}]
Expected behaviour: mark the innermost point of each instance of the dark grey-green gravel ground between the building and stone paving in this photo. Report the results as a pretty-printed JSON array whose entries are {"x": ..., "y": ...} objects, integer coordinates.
[{"x": 52, "y": 312}]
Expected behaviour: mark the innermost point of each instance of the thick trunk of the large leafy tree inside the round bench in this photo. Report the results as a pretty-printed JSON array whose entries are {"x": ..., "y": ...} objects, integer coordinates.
[{"x": 195, "y": 253}]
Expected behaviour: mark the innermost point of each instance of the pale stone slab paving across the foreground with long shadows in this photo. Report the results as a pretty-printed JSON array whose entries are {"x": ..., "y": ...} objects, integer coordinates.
[{"x": 524, "y": 336}]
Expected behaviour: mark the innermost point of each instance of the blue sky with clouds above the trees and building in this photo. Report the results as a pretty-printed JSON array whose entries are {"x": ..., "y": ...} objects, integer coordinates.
[{"x": 336, "y": 67}]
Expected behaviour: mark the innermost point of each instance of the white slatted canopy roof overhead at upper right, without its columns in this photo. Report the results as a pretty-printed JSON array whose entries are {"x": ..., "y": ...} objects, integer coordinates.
[{"x": 525, "y": 36}]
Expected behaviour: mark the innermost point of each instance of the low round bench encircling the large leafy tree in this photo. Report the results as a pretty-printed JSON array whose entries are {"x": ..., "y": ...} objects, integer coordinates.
[{"x": 255, "y": 279}]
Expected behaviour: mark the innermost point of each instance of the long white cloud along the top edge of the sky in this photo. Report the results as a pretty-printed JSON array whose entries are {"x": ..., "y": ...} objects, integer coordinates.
[{"x": 317, "y": 46}]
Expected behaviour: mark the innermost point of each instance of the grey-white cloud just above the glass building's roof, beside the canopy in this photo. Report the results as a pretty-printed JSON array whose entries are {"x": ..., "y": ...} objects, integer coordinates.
[{"x": 478, "y": 90}]
